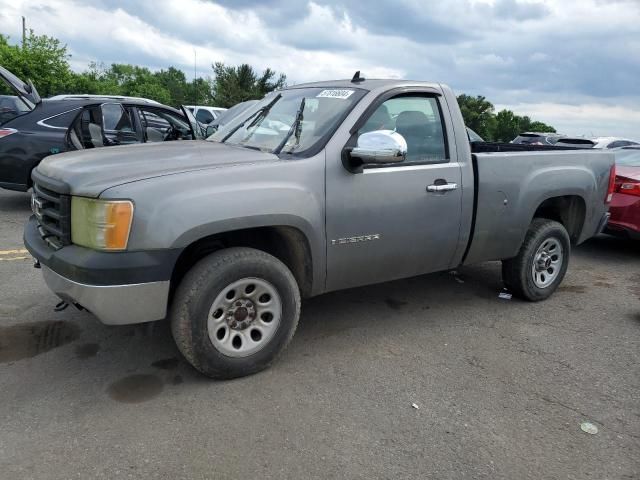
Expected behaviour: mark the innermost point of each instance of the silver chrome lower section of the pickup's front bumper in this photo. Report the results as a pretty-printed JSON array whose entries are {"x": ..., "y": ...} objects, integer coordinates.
[{"x": 113, "y": 304}]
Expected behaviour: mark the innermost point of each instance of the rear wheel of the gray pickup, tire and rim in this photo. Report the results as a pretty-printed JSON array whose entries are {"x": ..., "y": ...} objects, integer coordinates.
[{"x": 538, "y": 269}]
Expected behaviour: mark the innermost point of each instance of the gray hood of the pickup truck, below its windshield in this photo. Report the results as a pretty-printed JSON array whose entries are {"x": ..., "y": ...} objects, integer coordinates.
[{"x": 90, "y": 172}]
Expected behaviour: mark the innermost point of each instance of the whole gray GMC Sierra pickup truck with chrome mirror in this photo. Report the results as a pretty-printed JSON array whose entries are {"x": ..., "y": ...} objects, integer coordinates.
[{"x": 317, "y": 187}]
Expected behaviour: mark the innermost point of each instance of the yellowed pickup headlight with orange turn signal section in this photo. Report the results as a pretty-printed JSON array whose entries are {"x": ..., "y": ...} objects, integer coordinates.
[{"x": 101, "y": 224}]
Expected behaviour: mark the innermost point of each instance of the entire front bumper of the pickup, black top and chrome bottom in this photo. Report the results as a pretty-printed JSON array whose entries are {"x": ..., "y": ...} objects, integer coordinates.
[{"x": 119, "y": 288}]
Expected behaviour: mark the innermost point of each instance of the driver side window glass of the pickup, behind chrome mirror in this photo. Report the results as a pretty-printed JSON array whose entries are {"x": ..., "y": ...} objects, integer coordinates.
[{"x": 419, "y": 122}]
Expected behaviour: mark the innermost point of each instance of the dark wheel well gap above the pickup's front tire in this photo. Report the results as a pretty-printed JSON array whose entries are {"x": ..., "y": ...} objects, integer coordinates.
[{"x": 288, "y": 244}]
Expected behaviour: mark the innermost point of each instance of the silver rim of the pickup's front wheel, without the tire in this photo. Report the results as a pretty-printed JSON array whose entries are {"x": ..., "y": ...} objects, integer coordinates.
[{"x": 244, "y": 317}]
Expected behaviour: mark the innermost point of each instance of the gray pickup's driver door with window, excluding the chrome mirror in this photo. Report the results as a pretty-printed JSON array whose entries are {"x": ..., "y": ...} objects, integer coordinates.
[{"x": 395, "y": 220}]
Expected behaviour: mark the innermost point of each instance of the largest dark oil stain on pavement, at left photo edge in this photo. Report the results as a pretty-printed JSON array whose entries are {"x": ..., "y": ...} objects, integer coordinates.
[{"x": 27, "y": 340}]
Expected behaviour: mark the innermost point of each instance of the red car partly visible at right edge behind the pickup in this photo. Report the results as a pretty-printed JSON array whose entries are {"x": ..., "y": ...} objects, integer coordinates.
[{"x": 625, "y": 204}]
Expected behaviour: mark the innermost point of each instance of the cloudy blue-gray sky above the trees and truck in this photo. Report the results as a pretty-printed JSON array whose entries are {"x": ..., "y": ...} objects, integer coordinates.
[{"x": 572, "y": 63}]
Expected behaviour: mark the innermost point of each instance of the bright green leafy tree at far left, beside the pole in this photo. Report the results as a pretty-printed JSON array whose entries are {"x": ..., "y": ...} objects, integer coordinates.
[{"x": 42, "y": 59}]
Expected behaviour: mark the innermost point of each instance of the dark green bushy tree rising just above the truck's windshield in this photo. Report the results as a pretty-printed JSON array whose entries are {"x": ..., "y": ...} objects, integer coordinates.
[{"x": 237, "y": 84}]
